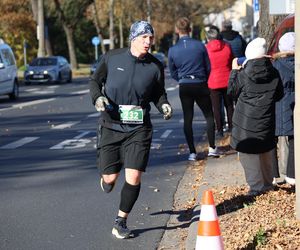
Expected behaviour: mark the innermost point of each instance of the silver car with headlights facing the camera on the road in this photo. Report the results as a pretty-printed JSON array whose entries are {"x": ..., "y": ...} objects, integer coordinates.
[{"x": 48, "y": 69}]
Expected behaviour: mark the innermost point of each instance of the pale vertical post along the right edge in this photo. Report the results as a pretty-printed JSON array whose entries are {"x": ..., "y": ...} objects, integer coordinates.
[{"x": 297, "y": 110}]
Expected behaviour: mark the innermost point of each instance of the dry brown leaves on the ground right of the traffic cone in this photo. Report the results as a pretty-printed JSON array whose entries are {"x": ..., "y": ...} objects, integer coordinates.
[{"x": 265, "y": 222}]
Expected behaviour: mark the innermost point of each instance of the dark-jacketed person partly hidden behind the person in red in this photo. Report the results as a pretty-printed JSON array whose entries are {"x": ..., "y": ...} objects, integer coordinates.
[{"x": 236, "y": 41}]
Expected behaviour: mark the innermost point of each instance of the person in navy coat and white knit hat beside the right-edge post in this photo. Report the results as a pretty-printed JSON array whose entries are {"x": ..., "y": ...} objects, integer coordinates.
[{"x": 284, "y": 62}]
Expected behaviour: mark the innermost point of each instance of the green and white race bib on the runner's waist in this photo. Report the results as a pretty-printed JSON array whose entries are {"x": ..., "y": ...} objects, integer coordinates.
[{"x": 131, "y": 114}]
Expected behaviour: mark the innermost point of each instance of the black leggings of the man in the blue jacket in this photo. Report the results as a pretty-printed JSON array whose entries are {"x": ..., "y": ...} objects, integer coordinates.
[{"x": 190, "y": 93}]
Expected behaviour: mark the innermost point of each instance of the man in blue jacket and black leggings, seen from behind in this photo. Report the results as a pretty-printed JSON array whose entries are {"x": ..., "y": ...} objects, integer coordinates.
[{"x": 189, "y": 65}]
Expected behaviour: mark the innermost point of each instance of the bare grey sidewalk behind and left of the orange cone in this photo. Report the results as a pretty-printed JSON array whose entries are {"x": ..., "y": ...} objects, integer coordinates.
[{"x": 225, "y": 170}]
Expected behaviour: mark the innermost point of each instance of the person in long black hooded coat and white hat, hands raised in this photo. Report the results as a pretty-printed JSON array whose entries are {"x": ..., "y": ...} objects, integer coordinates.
[{"x": 257, "y": 86}]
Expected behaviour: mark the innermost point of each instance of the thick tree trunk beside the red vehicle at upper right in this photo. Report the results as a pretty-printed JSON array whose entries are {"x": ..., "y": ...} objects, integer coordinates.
[{"x": 267, "y": 24}]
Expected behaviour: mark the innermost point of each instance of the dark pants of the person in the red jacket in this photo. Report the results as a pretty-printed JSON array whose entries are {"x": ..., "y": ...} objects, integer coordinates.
[{"x": 216, "y": 97}]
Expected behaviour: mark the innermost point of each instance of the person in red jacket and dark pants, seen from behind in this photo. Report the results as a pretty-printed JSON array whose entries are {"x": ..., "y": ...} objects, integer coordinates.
[{"x": 220, "y": 56}]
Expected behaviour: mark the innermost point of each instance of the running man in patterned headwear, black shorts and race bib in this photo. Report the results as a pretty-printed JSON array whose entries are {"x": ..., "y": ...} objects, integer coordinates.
[{"x": 122, "y": 87}]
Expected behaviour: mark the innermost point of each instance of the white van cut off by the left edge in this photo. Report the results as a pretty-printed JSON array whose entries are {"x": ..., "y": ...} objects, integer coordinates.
[{"x": 8, "y": 72}]
